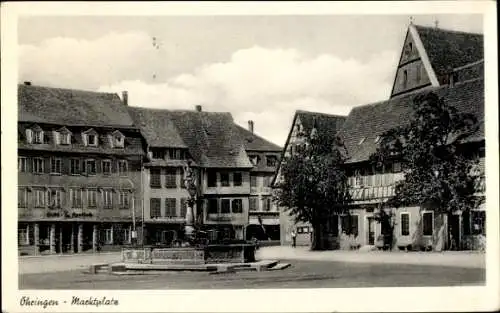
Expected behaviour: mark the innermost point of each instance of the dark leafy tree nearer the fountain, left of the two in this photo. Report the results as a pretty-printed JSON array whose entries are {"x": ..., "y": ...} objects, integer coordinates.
[{"x": 313, "y": 184}]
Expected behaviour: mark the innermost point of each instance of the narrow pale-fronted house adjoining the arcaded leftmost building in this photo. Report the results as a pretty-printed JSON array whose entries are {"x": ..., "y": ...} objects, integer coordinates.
[{"x": 165, "y": 195}]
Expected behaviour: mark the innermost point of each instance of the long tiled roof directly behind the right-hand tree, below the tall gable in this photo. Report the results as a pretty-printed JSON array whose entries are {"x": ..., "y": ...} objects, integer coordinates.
[{"x": 366, "y": 122}]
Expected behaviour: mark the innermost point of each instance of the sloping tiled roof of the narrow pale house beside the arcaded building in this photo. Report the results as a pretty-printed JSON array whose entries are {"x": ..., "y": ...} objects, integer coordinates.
[{"x": 157, "y": 127}]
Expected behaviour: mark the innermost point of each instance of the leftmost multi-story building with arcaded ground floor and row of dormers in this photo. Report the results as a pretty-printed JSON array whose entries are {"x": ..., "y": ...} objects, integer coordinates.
[{"x": 79, "y": 181}]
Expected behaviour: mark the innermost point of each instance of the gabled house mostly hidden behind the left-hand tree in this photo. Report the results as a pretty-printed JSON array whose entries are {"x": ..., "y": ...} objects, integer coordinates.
[{"x": 302, "y": 125}]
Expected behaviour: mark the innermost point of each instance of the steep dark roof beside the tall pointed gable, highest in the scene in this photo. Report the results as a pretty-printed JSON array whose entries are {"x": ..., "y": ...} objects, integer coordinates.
[{"x": 448, "y": 49}]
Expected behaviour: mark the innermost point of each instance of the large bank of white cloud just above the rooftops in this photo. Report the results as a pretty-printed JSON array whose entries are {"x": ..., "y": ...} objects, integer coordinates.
[{"x": 263, "y": 84}]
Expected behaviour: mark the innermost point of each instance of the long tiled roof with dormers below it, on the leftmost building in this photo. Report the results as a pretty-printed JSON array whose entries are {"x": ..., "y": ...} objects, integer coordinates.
[{"x": 71, "y": 107}]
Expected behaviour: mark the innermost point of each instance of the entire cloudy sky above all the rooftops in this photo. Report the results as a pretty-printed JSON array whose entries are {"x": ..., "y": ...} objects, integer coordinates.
[{"x": 259, "y": 68}]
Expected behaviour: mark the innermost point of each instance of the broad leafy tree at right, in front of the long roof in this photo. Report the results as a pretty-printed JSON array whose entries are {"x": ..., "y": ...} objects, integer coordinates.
[{"x": 438, "y": 170}]
